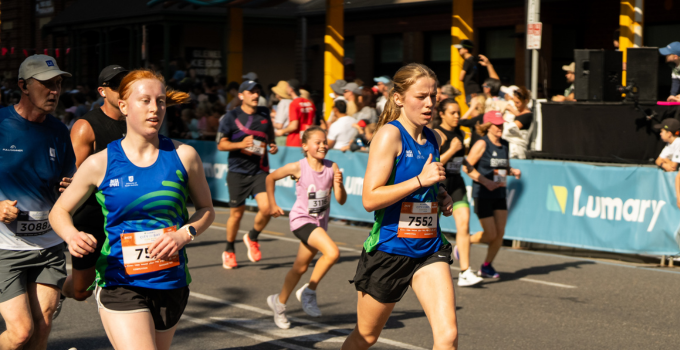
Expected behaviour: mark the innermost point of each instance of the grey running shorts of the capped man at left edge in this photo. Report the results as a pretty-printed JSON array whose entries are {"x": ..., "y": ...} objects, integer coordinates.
[{"x": 18, "y": 268}]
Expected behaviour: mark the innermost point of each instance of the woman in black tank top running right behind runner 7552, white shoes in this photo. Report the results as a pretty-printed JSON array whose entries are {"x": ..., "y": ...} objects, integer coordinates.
[{"x": 452, "y": 155}]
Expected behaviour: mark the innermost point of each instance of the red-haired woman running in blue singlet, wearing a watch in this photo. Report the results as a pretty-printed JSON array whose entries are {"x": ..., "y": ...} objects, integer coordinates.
[{"x": 142, "y": 183}]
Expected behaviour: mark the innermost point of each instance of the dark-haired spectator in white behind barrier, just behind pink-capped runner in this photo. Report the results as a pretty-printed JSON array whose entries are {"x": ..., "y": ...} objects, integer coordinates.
[{"x": 516, "y": 128}]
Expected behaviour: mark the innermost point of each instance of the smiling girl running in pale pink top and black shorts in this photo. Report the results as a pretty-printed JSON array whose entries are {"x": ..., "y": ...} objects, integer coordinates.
[{"x": 316, "y": 178}]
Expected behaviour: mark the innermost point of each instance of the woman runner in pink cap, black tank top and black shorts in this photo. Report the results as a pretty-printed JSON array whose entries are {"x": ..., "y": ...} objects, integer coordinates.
[{"x": 490, "y": 156}]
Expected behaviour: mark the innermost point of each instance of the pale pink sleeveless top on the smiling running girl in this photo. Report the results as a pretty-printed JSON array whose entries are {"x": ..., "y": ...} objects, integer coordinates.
[{"x": 313, "y": 191}]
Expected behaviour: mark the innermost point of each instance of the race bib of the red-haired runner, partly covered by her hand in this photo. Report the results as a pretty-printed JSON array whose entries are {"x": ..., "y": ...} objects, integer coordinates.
[{"x": 136, "y": 252}]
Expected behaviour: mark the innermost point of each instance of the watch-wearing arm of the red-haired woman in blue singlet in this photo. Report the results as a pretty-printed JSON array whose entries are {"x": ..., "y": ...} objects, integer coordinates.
[{"x": 168, "y": 244}]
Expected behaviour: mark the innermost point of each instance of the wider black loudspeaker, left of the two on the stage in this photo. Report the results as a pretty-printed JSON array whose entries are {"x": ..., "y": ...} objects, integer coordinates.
[{"x": 598, "y": 73}]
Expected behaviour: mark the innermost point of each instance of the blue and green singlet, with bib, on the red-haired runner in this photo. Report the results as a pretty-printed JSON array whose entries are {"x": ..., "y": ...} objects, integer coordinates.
[{"x": 138, "y": 205}]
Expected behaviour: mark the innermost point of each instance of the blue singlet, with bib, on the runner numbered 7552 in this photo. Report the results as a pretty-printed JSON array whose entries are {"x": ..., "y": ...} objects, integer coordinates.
[{"x": 409, "y": 227}]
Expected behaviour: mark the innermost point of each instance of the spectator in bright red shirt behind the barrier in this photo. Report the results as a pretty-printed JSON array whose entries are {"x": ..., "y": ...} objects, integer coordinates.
[{"x": 300, "y": 116}]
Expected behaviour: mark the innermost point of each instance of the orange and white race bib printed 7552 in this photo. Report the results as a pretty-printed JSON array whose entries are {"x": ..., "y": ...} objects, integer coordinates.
[{"x": 418, "y": 220}]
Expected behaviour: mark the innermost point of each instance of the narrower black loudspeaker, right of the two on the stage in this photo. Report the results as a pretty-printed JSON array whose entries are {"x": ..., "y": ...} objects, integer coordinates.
[{"x": 642, "y": 69}]
